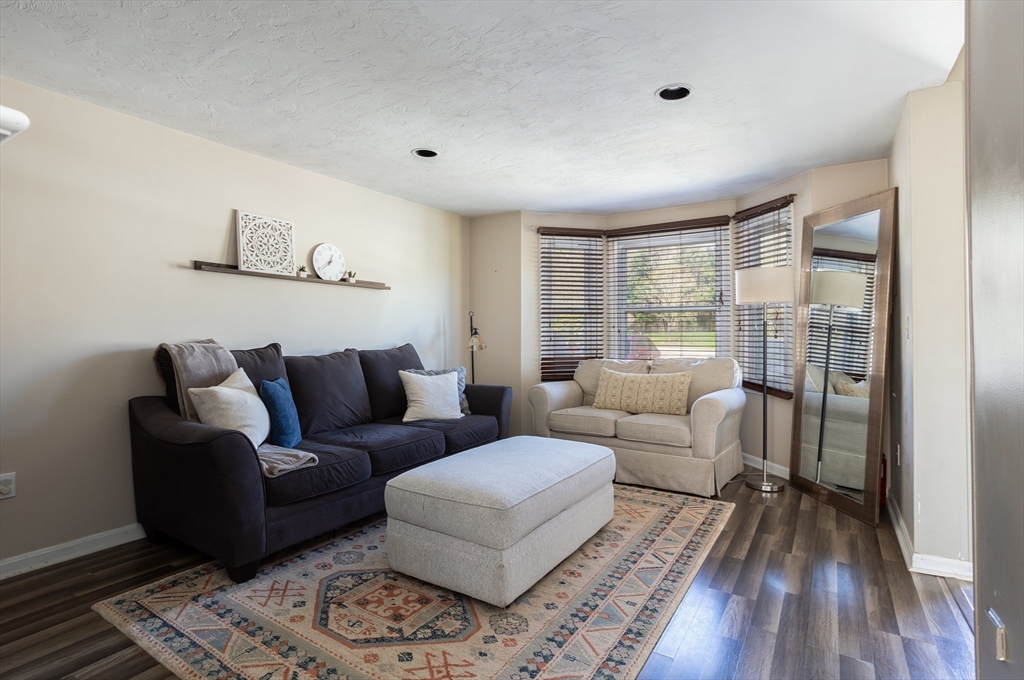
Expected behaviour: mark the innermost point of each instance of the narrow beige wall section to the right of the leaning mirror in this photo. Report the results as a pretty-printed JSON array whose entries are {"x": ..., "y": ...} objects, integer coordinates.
[{"x": 931, "y": 483}]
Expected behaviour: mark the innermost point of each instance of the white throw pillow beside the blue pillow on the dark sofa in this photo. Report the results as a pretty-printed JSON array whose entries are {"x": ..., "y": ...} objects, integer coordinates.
[{"x": 234, "y": 405}]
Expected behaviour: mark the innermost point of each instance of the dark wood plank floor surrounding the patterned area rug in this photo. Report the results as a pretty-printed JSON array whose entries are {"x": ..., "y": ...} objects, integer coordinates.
[{"x": 791, "y": 590}]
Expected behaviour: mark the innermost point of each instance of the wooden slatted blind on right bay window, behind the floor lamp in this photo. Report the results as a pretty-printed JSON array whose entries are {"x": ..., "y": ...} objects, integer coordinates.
[{"x": 763, "y": 238}]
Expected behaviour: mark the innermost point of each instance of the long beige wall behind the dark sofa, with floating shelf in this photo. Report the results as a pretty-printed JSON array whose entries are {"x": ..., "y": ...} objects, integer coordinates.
[{"x": 101, "y": 219}]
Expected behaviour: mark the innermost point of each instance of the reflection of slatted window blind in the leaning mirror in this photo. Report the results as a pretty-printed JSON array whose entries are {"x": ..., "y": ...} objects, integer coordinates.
[{"x": 852, "y": 329}]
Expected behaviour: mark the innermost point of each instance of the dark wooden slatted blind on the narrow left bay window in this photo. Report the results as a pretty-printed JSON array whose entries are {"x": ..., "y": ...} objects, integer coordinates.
[{"x": 572, "y": 301}]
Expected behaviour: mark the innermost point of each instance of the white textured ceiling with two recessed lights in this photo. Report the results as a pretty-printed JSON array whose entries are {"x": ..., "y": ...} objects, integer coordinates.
[{"x": 533, "y": 106}]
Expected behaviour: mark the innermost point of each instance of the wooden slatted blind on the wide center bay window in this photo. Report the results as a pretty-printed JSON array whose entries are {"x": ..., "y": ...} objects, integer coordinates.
[{"x": 670, "y": 290}]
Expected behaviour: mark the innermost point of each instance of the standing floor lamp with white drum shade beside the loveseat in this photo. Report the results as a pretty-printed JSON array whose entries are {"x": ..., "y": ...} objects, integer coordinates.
[{"x": 764, "y": 286}]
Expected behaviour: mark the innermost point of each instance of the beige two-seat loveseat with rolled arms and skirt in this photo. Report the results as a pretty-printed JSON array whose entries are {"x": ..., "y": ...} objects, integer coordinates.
[{"x": 697, "y": 453}]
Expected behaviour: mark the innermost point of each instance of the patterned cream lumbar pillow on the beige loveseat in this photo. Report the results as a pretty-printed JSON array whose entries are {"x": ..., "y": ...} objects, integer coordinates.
[{"x": 644, "y": 394}]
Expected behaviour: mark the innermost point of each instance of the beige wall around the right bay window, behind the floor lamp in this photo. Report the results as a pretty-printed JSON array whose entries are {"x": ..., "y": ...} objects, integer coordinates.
[{"x": 816, "y": 191}]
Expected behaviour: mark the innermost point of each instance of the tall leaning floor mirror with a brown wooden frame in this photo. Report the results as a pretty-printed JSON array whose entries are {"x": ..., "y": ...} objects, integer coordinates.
[{"x": 842, "y": 336}]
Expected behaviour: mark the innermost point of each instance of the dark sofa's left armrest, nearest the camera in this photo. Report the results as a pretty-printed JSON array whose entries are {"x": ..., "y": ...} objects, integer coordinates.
[{"x": 197, "y": 484}]
